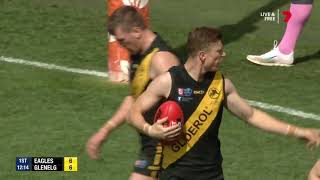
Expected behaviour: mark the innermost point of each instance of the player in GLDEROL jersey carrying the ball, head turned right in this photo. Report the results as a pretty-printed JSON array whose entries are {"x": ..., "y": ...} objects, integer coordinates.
[{"x": 202, "y": 92}]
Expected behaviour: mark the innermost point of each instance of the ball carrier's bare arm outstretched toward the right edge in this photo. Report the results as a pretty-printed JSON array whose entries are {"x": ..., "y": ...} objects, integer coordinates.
[{"x": 239, "y": 107}]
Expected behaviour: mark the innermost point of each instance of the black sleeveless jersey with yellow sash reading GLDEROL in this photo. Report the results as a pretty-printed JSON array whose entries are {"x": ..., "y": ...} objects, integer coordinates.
[{"x": 197, "y": 151}]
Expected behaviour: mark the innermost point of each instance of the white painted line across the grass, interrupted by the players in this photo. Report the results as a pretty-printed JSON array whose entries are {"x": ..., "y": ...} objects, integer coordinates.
[{"x": 262, "y": 105}]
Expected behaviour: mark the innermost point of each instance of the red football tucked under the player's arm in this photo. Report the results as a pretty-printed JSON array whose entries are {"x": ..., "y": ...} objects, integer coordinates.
[{"x": 172, "y": 110}]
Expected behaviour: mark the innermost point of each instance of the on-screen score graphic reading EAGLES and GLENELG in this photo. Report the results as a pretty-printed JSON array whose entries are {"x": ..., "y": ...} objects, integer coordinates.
[{"x": 69, "y": 164}]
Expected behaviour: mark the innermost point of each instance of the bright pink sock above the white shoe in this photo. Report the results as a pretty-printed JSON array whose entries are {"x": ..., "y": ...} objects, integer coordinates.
[{"x": 300, "y": 14}]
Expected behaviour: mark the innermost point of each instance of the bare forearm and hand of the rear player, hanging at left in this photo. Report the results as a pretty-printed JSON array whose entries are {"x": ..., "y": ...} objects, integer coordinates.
[{"x": 96, "y": 140}]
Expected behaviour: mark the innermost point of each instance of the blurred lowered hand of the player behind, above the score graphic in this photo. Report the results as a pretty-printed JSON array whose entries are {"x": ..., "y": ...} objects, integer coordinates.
[{"x": 93, "y": 146}]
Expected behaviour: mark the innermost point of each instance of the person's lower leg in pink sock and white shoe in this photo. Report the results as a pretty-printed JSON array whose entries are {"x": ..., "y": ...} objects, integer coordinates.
[{"x": 283, "y": 55}]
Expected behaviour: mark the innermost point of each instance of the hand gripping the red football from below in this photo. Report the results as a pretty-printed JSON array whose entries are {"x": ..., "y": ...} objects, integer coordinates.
[{"x": 157, "y": 130}]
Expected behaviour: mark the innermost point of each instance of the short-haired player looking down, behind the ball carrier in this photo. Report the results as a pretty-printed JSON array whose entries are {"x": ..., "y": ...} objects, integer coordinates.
[{"x": 150, "y": 57}]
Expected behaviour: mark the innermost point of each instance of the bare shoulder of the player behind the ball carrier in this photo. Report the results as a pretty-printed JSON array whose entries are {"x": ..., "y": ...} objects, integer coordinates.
[{"x": 161, "y": 62}]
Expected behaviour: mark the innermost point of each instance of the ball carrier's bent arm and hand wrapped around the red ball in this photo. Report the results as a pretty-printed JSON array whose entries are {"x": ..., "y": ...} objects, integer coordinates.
[{"x": 159, "y": 88}]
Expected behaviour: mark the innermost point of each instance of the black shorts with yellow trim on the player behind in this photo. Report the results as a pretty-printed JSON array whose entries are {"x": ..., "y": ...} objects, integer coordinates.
[{"x": 149, "y": 160}]
